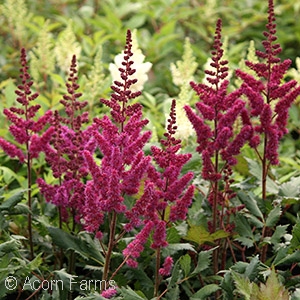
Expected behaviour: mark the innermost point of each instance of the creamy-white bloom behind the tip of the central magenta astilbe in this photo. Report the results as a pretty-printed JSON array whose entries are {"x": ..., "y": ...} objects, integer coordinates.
[{"x": 141, "y": 67}]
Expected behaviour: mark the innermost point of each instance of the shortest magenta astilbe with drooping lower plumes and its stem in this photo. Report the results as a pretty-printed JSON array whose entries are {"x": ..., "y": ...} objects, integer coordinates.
[{"x": 166, "y": 199}]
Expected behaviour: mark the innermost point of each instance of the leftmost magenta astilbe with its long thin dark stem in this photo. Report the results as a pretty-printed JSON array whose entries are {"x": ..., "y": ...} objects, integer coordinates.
[{"x": 26, "y": 131}]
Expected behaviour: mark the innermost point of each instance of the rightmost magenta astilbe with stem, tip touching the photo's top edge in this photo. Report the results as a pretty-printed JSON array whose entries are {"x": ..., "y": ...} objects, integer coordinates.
[{"x": 269, "y": 100}]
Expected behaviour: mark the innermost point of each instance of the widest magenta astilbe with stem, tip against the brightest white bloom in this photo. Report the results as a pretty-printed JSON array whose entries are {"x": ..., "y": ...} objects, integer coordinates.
[{"x": 123, "y": 163}]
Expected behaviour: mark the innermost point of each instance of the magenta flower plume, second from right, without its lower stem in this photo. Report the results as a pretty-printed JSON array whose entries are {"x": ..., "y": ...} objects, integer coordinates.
[{"x": 217, "y": 112}]
